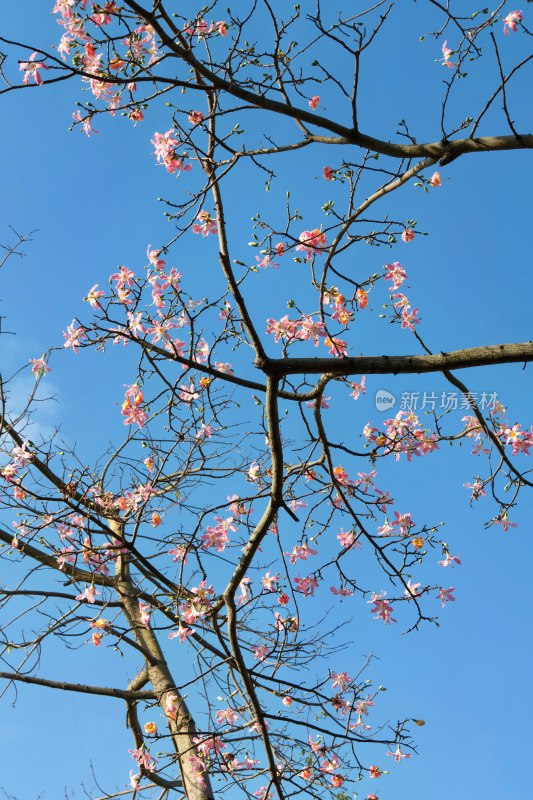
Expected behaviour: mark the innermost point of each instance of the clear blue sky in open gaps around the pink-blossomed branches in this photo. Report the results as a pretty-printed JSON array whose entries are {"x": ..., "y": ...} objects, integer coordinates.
[{"x": 93, "y": 205}]
